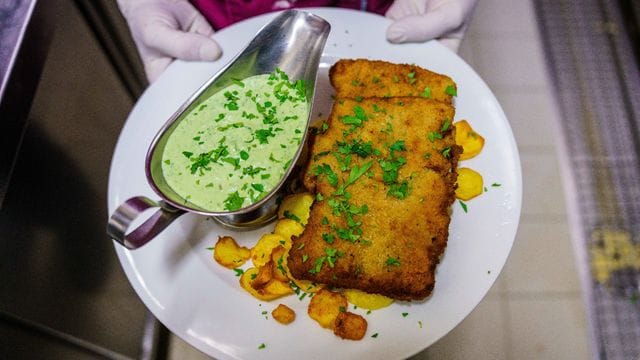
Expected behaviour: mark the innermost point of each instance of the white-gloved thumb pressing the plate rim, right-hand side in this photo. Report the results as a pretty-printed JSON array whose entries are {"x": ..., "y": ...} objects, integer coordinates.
[{"x": 420, "y": 28}]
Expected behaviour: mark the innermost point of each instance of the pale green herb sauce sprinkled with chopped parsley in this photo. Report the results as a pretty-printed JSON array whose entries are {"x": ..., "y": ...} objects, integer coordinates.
[{"x": 236, "y": 146}]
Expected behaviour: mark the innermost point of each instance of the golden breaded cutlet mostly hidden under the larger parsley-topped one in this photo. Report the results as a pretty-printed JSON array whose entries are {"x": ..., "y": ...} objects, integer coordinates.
[{"x": 373, "y": 78}]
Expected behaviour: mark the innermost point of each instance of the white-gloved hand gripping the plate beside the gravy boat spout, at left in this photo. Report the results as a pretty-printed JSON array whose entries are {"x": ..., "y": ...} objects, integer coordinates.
[{"x": 164, "y": 30}]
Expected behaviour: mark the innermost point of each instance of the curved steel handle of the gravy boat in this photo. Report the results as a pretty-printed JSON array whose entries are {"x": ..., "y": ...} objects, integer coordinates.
[{"x": 126, "y": 213}]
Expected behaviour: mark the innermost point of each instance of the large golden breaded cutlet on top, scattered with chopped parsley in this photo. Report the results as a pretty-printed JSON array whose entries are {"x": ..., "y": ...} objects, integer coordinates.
[{"x": 384, "y": 175}]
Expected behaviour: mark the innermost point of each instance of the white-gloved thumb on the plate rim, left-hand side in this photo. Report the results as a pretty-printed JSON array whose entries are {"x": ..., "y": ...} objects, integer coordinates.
[{"x": 182, "y": 45}]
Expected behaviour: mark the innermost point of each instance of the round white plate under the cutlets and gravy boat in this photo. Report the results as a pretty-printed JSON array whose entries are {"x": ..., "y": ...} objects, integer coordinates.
[{"x": 202, "y": 302}]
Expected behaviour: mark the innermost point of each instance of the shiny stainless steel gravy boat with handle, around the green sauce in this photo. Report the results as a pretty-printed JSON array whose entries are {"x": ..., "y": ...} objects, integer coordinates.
[{"x": 293, "y": 42}]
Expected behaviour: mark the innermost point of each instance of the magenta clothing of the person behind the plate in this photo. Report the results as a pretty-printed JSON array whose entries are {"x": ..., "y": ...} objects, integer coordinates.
[{"x": 224, "y": 13}]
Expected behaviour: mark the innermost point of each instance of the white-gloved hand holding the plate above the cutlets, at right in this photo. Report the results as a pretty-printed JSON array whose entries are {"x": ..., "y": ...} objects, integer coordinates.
[{"x": 423, "y": 20}]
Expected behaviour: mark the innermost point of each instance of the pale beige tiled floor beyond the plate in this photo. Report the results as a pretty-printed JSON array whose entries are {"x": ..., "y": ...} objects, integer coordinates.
[{"x": 535, "y": 310}]
